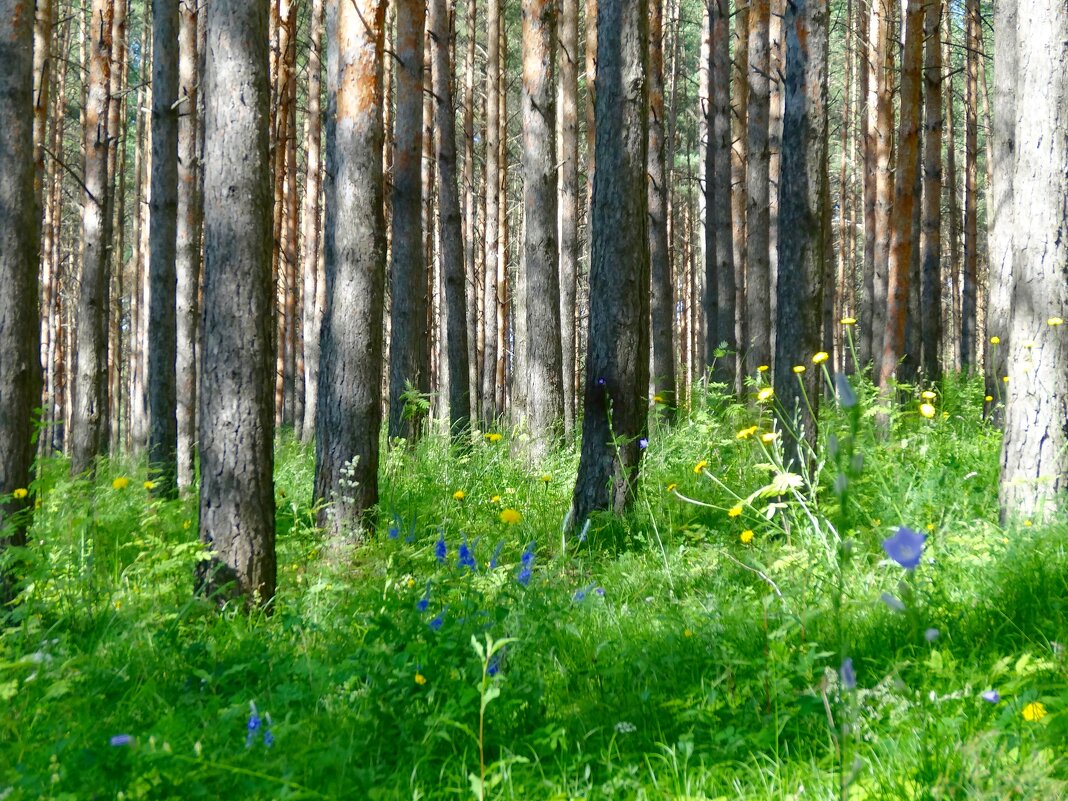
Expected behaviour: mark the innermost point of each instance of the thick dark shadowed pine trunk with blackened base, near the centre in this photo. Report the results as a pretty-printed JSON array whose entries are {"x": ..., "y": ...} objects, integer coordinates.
[{"x": 618, "y": 362}]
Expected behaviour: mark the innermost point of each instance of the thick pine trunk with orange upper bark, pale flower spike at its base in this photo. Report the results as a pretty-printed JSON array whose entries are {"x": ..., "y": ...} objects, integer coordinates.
[{"x": 351, "y": 394}]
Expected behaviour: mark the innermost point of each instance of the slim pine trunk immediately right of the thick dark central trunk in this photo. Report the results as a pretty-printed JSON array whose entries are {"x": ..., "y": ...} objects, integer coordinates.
[{"x": 663, "y": 296}]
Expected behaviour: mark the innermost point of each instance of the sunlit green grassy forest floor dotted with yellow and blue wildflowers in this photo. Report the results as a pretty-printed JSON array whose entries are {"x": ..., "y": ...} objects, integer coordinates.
[{"x": 742, "y": 635}]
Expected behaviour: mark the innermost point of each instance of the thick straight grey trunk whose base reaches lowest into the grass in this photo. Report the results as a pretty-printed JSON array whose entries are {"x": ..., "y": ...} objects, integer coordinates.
[{"x": 237, "y": 411}]
